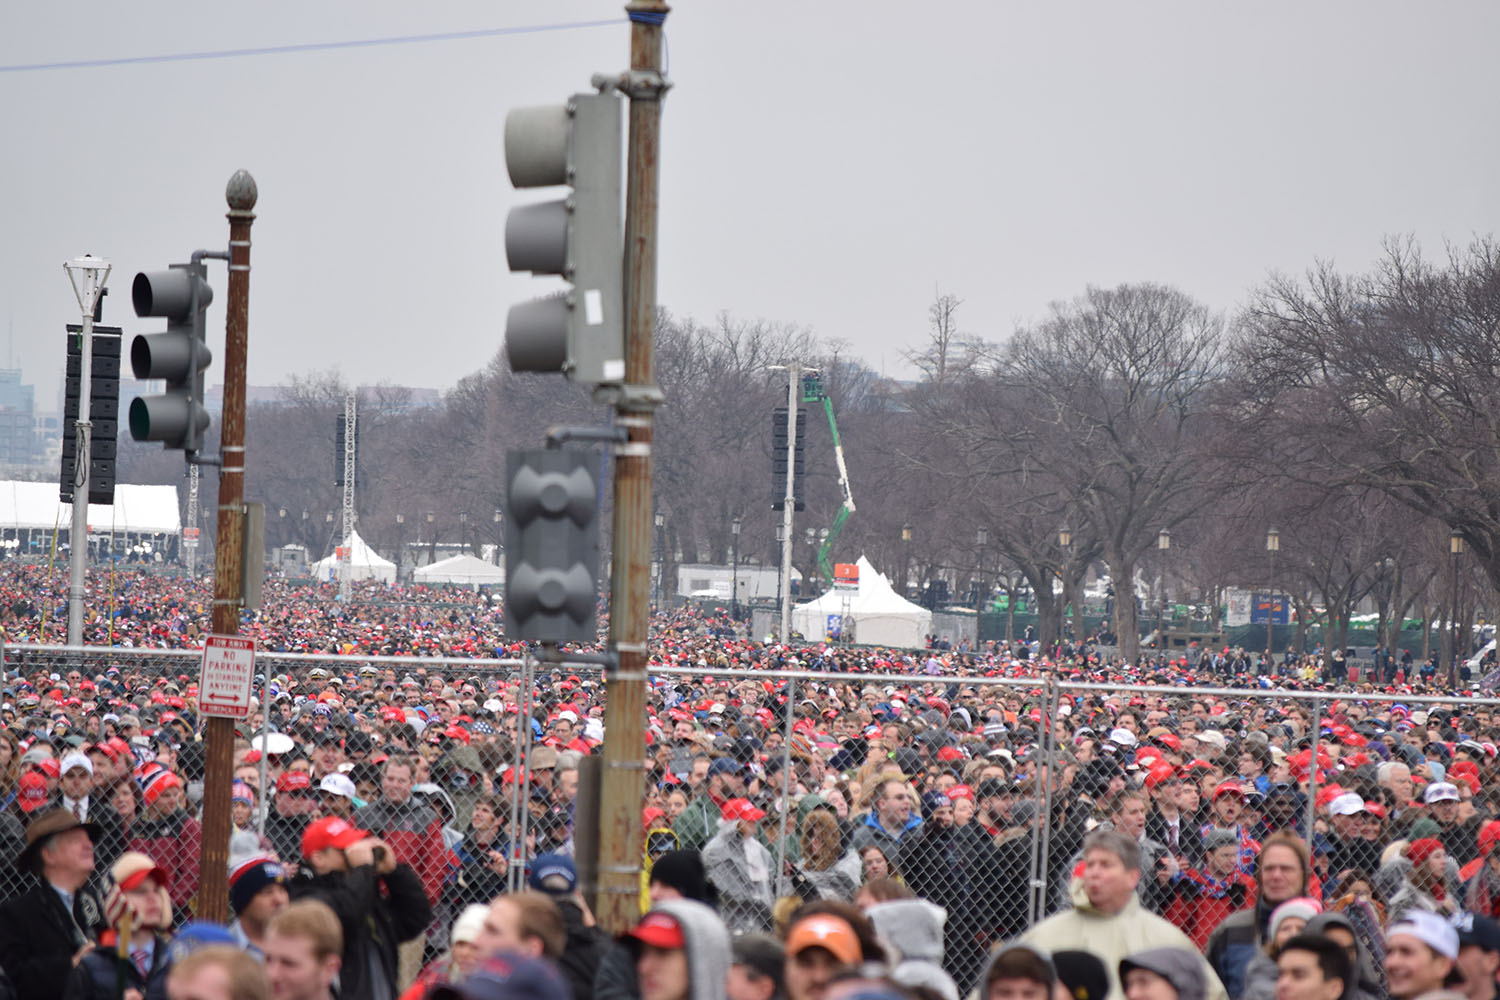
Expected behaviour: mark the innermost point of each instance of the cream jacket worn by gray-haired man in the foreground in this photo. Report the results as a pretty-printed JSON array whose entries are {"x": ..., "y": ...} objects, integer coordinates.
[{"x": 1114, "y": 936}]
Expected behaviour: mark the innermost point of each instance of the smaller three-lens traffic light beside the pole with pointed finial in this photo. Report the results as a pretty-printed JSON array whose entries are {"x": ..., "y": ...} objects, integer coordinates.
[{"x": 178, "y": 419}]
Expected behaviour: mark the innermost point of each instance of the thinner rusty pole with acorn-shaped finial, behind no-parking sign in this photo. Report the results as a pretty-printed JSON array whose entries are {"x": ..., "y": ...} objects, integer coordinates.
[{"x": 214, "y": 879}]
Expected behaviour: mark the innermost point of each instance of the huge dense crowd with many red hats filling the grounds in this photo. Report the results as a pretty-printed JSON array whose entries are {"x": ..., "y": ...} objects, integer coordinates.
[{"x": 932, "y": 827}]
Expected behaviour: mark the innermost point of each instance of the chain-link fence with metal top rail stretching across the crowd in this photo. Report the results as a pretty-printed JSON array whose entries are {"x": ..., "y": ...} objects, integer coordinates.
[{"x": 791, "y": 785}]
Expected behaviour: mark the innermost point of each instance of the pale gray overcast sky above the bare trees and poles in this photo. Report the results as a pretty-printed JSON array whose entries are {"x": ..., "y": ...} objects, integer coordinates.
[{"x": 830, "y": 166}]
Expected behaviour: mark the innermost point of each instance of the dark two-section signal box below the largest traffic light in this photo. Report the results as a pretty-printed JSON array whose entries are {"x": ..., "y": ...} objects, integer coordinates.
[{"x": 551, "y": 546}]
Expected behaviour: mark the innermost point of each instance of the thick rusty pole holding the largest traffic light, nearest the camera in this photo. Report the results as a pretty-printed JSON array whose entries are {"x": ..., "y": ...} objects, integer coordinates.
[{"x": 631, "y": 575}]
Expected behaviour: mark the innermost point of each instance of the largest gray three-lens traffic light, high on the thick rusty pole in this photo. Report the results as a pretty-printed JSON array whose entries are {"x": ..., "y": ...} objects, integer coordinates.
[{"x": 578, "y": 332}]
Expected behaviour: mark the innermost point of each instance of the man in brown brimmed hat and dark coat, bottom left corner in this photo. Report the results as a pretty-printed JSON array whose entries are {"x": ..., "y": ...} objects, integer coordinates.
[{"x": 47, "y": 929}]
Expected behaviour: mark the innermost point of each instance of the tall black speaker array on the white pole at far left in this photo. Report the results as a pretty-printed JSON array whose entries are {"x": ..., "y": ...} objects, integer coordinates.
[{"x": 104, "y": 413}]
